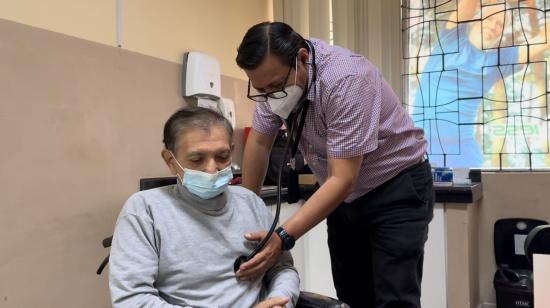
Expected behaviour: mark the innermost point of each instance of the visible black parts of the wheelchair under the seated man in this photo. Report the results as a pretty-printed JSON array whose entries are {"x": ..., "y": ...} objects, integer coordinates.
[{"x": 305, "y": 300}]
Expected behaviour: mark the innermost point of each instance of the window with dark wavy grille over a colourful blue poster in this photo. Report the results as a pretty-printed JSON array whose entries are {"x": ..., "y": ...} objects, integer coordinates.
[{"x": 476, "y": 81}]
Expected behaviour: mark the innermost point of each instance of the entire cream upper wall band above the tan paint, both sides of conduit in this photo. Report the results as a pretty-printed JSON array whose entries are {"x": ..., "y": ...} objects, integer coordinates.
[{"x": 163, "y": 29}]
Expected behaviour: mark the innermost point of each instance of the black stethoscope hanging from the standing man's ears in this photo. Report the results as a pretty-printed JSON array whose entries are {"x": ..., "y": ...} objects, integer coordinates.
[{"x": 296, "y": 120}]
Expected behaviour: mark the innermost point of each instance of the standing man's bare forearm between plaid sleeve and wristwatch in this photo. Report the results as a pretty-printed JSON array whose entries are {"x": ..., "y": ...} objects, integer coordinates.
[{"x": 319, "y": 206}]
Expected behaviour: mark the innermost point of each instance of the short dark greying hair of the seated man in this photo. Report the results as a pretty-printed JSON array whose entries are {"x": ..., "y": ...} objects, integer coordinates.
[{"x": 192, "y": 118}]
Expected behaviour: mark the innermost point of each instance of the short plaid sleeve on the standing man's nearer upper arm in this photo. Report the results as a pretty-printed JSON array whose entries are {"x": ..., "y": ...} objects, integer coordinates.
[{"x": 353, "y": 117}]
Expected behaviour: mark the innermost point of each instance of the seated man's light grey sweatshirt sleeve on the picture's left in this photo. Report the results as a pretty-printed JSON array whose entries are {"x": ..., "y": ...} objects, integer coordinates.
[{"x": 133, "y": 263}]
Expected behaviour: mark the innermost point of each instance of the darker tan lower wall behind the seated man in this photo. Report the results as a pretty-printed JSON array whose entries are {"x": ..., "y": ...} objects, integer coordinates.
[{"x": 80, "y": 123}]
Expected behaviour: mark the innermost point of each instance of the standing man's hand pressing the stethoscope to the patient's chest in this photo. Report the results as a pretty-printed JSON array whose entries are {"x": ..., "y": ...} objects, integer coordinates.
[{"x": 264, "y": 260}]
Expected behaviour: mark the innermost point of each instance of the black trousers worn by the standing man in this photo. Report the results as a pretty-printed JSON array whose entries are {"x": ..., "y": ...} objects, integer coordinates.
[{"x": 376, "y": 242}]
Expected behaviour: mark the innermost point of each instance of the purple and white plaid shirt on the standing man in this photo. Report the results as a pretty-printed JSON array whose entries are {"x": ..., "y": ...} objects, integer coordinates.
[{"x": 354, "y": 112}]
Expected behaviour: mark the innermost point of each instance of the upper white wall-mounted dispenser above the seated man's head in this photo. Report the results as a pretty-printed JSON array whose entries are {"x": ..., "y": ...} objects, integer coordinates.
[{"x": 201, "y": 75}]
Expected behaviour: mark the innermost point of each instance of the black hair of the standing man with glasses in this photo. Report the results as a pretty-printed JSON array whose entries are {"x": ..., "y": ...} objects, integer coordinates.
[{"x": 269, "y": 38}]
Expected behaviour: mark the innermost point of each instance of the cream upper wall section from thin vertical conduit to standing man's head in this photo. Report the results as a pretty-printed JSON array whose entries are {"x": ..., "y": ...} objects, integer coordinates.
[{"x": 212, "y": 26}]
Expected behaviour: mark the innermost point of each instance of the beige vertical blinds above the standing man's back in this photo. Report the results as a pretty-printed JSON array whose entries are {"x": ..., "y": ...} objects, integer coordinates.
[{"x": 368, "y": 27}]
